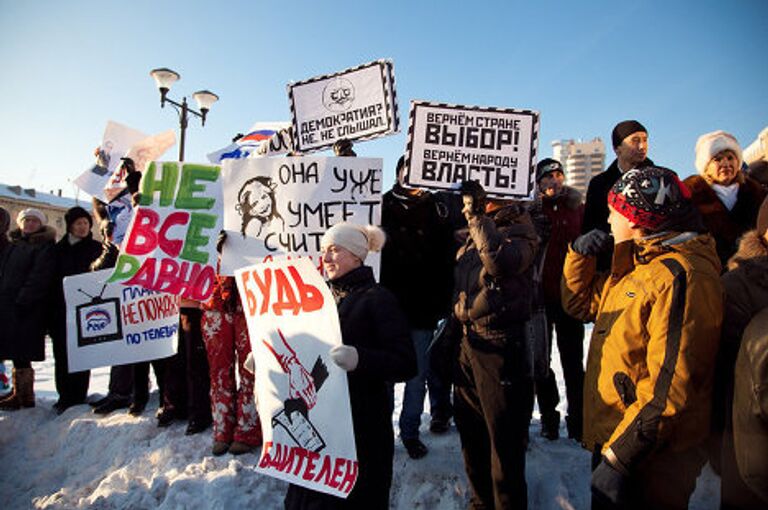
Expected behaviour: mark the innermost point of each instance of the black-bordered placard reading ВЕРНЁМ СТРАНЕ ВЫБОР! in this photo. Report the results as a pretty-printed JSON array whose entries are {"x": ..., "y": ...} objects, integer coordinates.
[{"x": 448, "y": 144}]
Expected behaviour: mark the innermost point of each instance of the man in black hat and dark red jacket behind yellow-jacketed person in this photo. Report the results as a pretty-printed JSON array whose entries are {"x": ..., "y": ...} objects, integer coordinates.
[{"x": 558, "y": 214}]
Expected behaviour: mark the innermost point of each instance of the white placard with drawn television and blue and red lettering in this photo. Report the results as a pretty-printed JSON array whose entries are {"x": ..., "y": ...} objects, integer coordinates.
[{"x": 113, "y": 324}]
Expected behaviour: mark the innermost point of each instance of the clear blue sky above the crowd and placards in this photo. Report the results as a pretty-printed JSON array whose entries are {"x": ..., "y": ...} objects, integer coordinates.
[{"x": 682, "y": 68}]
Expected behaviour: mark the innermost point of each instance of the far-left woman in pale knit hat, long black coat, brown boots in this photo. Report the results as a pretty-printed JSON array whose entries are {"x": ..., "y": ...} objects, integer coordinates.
[{"x": 26, "y": 269}]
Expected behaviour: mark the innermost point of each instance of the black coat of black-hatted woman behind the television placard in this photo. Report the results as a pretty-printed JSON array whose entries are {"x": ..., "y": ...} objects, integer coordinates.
[{"x": 69, "y": 259}]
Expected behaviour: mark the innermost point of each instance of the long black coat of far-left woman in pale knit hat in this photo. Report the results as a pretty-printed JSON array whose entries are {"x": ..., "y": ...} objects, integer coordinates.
[{"x": 26, "y": 269}]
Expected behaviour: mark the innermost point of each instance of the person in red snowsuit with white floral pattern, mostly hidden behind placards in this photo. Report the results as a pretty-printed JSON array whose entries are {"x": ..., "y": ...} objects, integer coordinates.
[{"x": 236, "y": 427}]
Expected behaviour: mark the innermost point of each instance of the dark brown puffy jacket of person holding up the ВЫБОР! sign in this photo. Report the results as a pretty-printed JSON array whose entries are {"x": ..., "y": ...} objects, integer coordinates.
[{"x": 493, "y": 275}]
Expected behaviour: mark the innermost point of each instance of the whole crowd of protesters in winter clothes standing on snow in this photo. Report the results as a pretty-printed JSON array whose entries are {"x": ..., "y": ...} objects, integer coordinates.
[{"x": 673, "y": 274}]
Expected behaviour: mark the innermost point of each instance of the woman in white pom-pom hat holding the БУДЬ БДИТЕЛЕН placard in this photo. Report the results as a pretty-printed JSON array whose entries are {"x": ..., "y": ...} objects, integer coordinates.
[{"x": 377, "y": 349}]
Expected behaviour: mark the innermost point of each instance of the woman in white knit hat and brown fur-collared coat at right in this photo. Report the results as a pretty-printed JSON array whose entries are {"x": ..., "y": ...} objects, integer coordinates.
[{"x": 727, "y": 199}]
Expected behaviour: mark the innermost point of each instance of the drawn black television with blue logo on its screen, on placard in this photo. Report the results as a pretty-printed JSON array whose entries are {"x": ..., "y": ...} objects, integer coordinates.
[{"x": 98, "y": 321}]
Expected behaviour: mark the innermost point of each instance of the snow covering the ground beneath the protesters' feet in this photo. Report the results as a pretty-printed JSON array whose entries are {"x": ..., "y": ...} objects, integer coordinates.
[{"x": 79, "y": 460}]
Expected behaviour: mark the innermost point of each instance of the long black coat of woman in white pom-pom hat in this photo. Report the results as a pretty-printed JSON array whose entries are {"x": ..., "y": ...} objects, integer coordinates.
[{"x": 372, "y": 322}]
